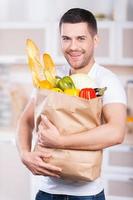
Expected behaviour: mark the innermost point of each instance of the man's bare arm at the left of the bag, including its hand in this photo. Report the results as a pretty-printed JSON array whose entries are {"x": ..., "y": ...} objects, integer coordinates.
[{"x": 33, "y": 160}]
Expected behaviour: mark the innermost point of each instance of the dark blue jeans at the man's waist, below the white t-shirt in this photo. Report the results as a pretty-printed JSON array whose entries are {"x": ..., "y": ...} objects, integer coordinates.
[{"x": 46, "y": 196}]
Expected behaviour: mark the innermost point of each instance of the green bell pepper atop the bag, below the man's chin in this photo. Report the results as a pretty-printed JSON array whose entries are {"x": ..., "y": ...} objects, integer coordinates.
[{"x": 65, "y": 82}]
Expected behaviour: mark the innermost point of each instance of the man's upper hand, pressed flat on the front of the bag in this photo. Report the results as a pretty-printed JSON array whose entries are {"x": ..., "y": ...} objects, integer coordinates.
[{"x": 48, "y": 134}]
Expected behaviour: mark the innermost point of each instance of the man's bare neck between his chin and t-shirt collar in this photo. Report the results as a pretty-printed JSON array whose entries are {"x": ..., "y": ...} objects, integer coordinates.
[{"x": 84, "y": 70}]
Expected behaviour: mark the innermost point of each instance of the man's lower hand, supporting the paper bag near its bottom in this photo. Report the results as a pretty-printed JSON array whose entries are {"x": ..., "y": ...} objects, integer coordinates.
[{"x": 38, "y": 166}]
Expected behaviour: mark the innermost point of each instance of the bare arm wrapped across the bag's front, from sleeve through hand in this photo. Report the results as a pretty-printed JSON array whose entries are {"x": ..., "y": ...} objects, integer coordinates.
[{"x": 108, "y": 134}]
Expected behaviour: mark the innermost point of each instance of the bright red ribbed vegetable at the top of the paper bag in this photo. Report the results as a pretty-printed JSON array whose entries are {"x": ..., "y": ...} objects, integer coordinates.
[{"x": 87, "y": 93}]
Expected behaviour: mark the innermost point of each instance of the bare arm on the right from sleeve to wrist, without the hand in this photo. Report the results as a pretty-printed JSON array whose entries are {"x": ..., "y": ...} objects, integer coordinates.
[{"x": 108, "y": 134}]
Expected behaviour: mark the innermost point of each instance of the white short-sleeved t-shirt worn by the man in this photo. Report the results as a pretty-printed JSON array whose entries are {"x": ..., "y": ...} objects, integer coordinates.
[{"x": 114, "y": 94}]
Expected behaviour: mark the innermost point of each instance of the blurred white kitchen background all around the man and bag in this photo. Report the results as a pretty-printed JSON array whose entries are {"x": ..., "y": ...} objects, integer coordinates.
[{"x": 38, "y": 20}]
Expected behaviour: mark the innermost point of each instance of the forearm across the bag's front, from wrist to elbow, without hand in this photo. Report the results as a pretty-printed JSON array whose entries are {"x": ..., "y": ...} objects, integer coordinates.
[{"x": 98, "y": 138}]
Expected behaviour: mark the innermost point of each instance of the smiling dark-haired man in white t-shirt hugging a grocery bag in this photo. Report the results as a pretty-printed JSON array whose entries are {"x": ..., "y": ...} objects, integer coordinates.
[{"x": 78, "y": 32}]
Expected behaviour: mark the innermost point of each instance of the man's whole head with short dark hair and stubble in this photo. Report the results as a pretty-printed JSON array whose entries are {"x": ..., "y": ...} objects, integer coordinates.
[{"x": 78, "y": 29}]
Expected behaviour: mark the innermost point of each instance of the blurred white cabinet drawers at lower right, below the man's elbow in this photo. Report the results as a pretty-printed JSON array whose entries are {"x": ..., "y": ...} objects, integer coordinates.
[{"x": 118, "y": 172}]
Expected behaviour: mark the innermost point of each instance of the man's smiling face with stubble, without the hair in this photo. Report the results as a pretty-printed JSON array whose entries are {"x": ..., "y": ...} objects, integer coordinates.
[{"x": 77, "y": 44}]
